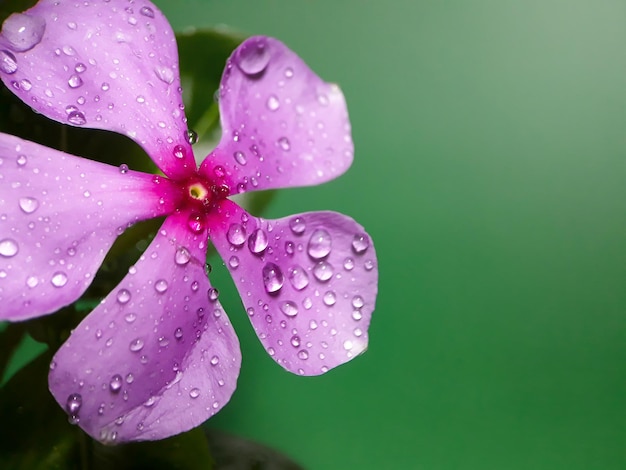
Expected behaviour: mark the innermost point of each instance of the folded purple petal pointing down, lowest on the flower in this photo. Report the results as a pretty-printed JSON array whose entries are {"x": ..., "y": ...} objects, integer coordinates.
[{"x": 158, "y": 356}]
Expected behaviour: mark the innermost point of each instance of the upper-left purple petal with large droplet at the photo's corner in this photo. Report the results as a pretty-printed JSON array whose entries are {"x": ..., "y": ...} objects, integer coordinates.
[{"x": 106, "y": 65}]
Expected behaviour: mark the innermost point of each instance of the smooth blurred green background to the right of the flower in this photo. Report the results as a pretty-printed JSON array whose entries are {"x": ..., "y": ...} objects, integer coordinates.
[{"x": 490, "y": 171}]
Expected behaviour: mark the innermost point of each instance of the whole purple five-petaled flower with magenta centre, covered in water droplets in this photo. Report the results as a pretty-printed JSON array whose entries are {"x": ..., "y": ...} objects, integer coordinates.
[{"x": 158, "y": 356}]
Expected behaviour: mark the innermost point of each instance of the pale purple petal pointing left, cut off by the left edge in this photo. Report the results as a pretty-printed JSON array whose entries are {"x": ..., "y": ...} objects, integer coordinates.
[{"x": 59, "y": 215}]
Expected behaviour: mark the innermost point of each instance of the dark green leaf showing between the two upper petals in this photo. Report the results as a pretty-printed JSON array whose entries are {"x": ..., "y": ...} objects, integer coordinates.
[{"x": 203, "y": 54}]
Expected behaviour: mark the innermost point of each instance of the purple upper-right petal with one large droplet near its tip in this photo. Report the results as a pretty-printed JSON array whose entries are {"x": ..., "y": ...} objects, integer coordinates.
[{"x": 281, "y": 124}]
